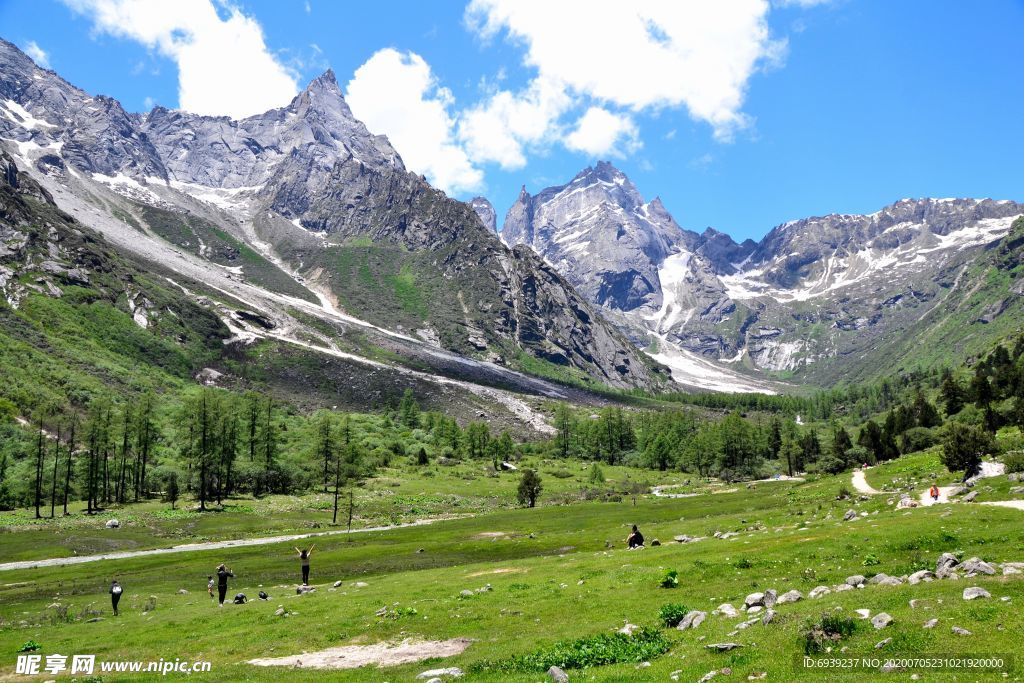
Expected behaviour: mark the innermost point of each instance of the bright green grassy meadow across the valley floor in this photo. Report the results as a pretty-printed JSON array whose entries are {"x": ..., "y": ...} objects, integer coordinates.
[{"x": 553, "y": 578}]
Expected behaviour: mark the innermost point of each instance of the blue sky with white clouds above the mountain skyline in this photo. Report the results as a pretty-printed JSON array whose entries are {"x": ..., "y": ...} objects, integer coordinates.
[{"x": 740, "y": 115}]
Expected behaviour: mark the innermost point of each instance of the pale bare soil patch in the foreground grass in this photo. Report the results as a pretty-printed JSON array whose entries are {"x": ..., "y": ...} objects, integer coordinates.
[{"x": 381, "y": 655}]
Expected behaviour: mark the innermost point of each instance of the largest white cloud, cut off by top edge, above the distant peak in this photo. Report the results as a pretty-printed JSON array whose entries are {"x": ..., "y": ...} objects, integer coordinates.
[{"x": 643, "y": 56}]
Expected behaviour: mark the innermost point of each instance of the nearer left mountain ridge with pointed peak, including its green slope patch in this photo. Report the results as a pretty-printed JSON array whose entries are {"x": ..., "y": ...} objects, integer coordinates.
[{"x": 307, "y": 194}]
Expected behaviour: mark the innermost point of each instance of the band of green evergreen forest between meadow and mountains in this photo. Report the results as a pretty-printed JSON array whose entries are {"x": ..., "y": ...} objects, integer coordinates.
[{"x": 212, "y": 444}]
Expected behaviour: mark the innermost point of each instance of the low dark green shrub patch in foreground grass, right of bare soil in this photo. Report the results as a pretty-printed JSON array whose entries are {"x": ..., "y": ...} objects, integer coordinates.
[{"x": 584, "y": 653}]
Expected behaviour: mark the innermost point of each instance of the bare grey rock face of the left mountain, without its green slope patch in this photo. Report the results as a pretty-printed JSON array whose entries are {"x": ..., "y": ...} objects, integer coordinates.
[{"x": 314, "y": 165}]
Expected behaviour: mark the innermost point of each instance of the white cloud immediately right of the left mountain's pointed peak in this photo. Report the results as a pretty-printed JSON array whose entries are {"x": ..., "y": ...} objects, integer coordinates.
[{"x": 397, "y": 95}]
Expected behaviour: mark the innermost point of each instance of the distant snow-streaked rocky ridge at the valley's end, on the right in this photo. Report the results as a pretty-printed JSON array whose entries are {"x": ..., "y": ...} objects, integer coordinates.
[{"x": 815, "y": 296}]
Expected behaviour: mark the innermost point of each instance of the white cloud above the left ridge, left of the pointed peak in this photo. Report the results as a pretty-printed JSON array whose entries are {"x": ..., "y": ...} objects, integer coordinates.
[{"x": 225, "y": 67}]
